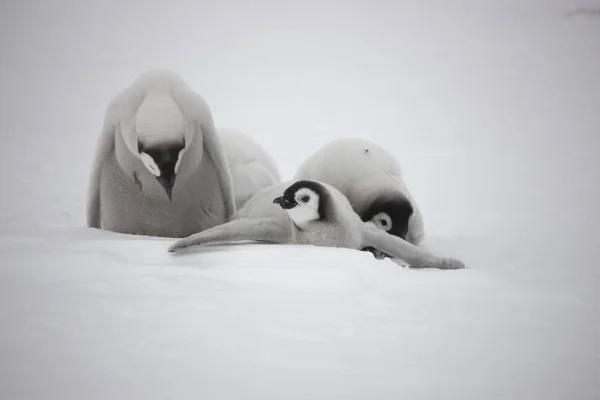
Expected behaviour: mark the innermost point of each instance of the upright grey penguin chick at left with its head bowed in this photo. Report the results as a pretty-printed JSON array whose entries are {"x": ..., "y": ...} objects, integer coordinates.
[{"x": 159, "y": 168}]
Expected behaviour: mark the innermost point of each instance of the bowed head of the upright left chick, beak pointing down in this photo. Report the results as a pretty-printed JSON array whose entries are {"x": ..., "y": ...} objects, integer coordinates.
[{"x": 160, "y": 128}]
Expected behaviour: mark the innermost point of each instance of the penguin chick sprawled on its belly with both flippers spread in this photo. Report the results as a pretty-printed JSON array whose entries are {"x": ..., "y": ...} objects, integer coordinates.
[{"x": 310, "y": 212}]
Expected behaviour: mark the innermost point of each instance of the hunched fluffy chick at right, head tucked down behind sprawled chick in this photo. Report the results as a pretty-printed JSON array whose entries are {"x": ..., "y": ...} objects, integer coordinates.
[{"x": 371, "y": 179}]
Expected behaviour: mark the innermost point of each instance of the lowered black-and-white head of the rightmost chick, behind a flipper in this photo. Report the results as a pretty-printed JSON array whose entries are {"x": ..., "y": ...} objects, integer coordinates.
[{"x": 389, "y": 212}]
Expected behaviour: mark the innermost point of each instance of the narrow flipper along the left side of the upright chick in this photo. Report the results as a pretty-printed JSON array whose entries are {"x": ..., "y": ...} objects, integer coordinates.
[{"x": 105, "y": 144}]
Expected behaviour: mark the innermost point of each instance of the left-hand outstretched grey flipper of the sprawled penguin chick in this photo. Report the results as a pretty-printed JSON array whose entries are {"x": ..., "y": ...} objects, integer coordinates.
[{"x": 261, "y": 229}]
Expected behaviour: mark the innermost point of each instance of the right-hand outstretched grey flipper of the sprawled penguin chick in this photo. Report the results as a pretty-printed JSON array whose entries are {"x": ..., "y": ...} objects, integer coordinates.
[{"x": 396, "y": 247}]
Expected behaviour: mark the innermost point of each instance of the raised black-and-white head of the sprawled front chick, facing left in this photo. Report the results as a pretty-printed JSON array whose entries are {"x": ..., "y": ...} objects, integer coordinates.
[{"x": 305, "y": 202}]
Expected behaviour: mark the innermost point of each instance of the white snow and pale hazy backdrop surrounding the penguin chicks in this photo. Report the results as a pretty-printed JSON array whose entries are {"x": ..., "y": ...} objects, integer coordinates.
[{"x": 492, "y": 110}]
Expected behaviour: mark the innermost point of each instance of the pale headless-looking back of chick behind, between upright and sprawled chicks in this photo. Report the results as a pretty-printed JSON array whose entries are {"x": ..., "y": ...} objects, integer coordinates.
[{"x": 252, "y": 167}]
